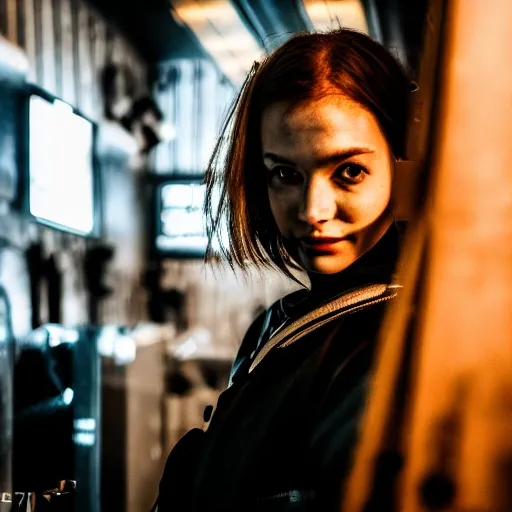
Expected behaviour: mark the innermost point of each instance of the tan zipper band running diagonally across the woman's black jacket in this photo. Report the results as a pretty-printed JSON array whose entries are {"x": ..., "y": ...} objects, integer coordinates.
[{"x": 353, "y": 298}]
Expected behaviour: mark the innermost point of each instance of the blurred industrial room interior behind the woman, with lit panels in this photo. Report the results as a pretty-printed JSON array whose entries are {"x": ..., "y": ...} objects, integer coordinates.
[{"x": 114, "y": 335}]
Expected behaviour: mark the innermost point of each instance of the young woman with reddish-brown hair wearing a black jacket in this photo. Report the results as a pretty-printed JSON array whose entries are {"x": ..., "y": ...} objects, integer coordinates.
[{"x": 306, "y": 181}]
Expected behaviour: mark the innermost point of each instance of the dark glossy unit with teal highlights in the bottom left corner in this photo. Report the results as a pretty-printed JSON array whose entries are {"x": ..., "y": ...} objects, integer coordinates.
[{"x": 57, "y": 423}]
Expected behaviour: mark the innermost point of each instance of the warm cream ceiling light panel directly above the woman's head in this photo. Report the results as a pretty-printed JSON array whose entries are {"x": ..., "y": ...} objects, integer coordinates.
[{"x": 331, "y": 14}]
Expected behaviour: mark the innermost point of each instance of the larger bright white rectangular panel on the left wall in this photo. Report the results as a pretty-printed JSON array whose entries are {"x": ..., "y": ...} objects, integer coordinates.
[{"x": 61, "y": 169}]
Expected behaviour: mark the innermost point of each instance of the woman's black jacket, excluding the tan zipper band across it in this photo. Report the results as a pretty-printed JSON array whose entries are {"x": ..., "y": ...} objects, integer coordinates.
[{"x": 282, "y": 437}]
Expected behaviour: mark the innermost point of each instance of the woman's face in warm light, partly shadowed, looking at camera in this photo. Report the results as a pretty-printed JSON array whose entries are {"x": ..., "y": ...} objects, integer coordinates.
[{"x": 329, "y": 180}]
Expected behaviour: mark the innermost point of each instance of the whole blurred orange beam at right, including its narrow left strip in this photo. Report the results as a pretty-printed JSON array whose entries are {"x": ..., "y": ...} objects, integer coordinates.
[{"x": 458, "y": 411}]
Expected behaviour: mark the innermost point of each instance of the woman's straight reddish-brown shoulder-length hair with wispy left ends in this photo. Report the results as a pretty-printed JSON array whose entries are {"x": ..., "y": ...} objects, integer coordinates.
[{"x": 308, "y": 66}]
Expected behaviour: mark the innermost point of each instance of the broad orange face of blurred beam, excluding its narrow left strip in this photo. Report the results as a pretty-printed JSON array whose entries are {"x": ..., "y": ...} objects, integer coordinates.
[{"x": 465, "y": 330}]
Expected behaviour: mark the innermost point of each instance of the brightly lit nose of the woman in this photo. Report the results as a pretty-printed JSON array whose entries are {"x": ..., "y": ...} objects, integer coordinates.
[{"x": 318, "y": 201}]
